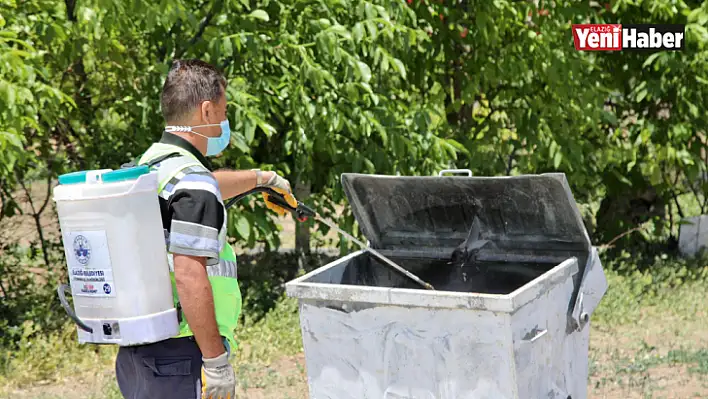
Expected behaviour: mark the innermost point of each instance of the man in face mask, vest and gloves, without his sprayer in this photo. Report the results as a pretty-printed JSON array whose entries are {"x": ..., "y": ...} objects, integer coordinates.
[{"x": 195, "y": 363}]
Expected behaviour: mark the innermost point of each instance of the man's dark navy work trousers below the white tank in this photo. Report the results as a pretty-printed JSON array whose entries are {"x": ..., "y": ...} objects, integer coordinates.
[{"x": 170, "y": 369}]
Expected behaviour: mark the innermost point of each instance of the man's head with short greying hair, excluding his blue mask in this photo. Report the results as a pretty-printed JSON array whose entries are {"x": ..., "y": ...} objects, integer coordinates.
[{"x": 194, "y": 94}]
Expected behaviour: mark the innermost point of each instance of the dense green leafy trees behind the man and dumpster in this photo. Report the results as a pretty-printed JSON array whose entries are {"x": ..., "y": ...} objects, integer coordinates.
[{"x": 321, "y": 87}]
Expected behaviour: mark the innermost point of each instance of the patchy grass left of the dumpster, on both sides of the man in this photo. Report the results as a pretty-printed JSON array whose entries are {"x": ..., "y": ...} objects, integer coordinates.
[{"x": 53, "y": 365}]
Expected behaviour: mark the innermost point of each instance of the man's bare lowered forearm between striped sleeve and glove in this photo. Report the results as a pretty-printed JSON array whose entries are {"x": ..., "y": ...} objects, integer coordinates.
[{"x": 195, "y": 296}]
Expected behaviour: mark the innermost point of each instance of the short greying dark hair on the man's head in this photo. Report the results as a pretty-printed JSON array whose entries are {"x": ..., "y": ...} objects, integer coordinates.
[{"x": 188, "y": 84}]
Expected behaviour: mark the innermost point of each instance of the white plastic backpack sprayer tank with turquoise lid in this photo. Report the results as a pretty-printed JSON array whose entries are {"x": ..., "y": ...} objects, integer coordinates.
[{"x": 115, "y": 251}]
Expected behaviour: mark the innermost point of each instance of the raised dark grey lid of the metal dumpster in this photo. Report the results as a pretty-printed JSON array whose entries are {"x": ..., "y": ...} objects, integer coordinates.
[{"x": 529, "y": 215}]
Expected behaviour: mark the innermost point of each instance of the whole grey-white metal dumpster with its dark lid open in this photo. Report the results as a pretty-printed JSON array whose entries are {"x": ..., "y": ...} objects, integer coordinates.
[{"x": 513, "y": 322}]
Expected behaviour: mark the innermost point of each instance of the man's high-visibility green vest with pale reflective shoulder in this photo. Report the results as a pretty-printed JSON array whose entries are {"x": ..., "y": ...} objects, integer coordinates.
[{"x": 223, "y": 278}]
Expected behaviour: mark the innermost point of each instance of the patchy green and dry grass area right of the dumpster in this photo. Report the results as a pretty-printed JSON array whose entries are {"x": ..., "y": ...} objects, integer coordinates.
[{"x": 650, "y": 338}]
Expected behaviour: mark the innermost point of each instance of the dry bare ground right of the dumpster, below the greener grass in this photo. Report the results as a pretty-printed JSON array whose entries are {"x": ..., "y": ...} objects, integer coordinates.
[{"x": 663, "y": 355}]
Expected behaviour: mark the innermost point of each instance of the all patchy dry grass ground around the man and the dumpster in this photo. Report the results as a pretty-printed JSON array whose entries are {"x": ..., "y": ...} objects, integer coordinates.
[{"x": 649, "y": 339}]
